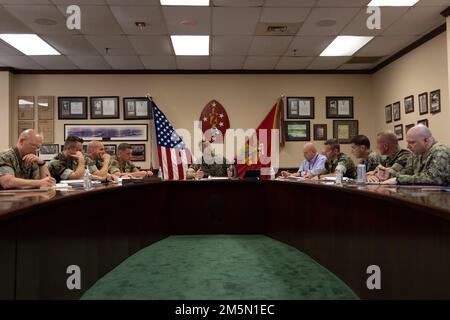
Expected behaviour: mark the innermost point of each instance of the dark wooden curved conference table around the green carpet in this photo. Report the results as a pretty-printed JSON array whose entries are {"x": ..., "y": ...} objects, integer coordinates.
[{"x": 404, "y": 231}]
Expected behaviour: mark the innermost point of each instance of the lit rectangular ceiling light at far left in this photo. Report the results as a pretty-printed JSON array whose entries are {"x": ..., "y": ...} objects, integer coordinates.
[{"x": 29, "y": 44}]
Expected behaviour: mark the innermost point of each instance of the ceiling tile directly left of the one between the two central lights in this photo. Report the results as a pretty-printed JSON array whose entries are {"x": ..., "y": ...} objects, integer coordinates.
[{"x": 152, "y": 16}]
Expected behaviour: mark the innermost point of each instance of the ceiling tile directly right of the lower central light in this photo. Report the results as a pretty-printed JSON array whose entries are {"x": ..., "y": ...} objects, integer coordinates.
[{"x": 231, "y": 45}]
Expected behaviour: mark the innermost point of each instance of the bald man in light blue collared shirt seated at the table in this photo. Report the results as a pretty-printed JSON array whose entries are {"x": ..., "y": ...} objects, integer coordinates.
[{"x": 314, "y": 163}]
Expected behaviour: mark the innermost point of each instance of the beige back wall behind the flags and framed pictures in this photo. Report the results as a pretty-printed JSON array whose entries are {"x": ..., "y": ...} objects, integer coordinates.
[{"x": 247, "y": 98}]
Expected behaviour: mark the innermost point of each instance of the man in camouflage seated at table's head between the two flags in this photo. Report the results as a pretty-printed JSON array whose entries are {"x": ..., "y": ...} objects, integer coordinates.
[{"x": 212, "y": 165}]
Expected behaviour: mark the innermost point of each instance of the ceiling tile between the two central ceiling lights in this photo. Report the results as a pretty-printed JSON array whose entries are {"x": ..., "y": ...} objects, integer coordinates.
[{"x": 198, "y": 20}]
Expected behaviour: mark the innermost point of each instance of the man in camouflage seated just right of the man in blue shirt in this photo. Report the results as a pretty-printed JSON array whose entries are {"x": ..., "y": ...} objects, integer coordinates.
[{"x": 337, "y": 160}]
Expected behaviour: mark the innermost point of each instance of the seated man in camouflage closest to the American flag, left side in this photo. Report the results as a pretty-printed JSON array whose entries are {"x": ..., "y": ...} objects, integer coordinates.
[{"x": 121, "y": 165}]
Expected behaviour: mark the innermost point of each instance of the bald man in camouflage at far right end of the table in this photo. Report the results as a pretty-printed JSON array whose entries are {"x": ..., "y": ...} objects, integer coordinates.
[{"x": 430, "y": 163}]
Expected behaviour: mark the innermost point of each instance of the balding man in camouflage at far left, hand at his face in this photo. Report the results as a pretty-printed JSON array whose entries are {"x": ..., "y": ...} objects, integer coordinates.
[{"x": 21, "y": 167}]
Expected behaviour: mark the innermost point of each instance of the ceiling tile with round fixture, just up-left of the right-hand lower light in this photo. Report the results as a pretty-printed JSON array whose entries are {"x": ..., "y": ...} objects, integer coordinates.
[{"x": 340, "y": 16}]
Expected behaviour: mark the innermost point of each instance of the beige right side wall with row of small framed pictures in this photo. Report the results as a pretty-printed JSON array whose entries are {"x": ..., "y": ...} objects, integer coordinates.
[{"x": 423, "y": 70}]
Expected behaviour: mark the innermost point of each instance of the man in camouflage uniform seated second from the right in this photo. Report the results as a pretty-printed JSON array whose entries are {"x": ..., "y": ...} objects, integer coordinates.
[{"x": 394, "y": 158}]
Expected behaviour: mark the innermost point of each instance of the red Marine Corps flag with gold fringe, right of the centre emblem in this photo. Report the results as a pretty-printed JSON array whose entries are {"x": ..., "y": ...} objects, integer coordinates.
[{"x": 257, "y": 151}]
